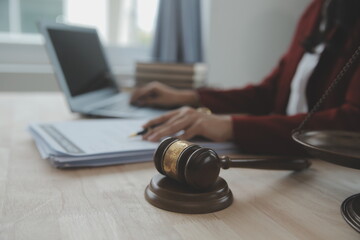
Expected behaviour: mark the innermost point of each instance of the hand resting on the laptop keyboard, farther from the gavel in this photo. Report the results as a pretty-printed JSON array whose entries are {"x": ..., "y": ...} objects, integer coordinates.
[{"x": 159, "y": 95}]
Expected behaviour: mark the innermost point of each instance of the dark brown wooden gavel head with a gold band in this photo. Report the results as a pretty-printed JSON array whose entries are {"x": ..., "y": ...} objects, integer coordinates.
[{"x": 188, "y": 163}]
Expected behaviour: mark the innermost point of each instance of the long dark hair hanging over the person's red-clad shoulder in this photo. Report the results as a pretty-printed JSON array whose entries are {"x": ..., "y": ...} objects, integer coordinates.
[{"x": 342, "y": 14}]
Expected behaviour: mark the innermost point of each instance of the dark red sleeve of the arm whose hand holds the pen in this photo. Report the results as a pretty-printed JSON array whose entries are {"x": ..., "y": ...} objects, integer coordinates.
[{"x": 272, "y": 134}]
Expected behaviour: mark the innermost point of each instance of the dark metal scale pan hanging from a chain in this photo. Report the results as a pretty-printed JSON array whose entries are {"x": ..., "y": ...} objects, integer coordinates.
[{"x": 338, "y": 147}]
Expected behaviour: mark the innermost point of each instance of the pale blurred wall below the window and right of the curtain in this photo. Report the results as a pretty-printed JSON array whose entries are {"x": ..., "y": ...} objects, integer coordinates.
[{"x": 243, "y": 42}]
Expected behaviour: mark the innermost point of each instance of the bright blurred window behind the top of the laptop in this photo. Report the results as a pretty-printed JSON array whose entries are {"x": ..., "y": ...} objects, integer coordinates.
[{"x": 119, "y": 22}]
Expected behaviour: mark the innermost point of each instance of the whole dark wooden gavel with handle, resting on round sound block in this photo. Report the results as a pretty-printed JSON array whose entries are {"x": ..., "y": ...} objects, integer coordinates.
[{"x": 189, "y": 181}]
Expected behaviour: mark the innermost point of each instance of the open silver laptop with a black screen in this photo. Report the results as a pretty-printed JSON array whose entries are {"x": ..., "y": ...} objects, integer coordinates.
[{"x": 84, "y": 75}]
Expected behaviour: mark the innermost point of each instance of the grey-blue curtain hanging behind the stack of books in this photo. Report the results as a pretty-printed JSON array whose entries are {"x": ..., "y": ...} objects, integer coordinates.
[{"x": 178, "y": 32}]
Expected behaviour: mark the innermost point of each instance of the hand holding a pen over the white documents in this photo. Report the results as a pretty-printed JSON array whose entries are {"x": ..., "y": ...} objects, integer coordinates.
[{"x": 194, "y": 123}]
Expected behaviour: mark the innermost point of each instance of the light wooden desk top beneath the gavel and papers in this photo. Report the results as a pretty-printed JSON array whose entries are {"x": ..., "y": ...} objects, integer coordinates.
[{"x": 38, "y": 201}]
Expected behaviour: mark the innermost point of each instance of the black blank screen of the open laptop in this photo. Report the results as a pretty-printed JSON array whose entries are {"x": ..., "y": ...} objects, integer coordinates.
[{"x": 82, "y": 60}]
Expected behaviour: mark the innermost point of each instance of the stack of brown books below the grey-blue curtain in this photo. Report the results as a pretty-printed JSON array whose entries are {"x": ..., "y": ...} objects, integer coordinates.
[{"x": 178, "y": 75}]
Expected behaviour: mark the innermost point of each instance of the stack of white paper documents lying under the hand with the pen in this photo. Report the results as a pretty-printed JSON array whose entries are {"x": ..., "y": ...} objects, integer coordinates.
[{"x": 100, "y": 142}]
